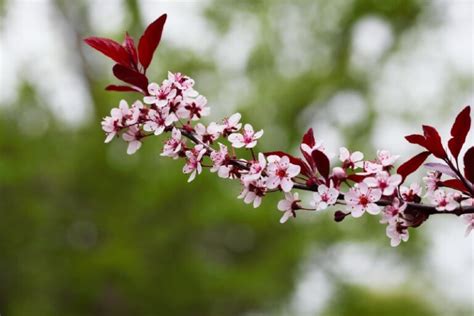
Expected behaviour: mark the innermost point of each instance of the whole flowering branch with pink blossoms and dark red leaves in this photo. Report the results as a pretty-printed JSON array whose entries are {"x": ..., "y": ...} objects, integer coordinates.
[{"x": 358, "y": 185}]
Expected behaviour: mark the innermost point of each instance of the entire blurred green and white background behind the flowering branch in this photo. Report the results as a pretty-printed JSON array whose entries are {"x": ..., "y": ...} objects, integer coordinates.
[{"x": 87, "y": 230}]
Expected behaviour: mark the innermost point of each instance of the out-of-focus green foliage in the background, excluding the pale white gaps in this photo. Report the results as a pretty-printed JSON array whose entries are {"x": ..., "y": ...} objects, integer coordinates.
[{"x": 87, "y": 230}]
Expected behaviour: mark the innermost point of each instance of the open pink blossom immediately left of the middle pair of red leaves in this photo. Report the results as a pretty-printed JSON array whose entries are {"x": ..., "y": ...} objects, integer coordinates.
[{"x": 280, "y": 172}]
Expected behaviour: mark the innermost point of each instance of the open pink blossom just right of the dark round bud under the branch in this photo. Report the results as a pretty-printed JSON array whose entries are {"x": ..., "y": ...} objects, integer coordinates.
[{"x": 361, "y": 198}]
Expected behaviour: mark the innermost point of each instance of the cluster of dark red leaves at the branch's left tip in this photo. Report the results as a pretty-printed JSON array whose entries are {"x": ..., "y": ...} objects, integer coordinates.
[{"x": 131, "y": 62}]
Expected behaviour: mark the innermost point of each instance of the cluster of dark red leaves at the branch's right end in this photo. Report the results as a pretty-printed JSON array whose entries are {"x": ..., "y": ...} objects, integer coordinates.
[{"x": 431, "y": 141}]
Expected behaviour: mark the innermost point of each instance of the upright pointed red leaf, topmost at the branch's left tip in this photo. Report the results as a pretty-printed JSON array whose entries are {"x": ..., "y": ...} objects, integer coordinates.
[{"x": 150, "y": 40}]
